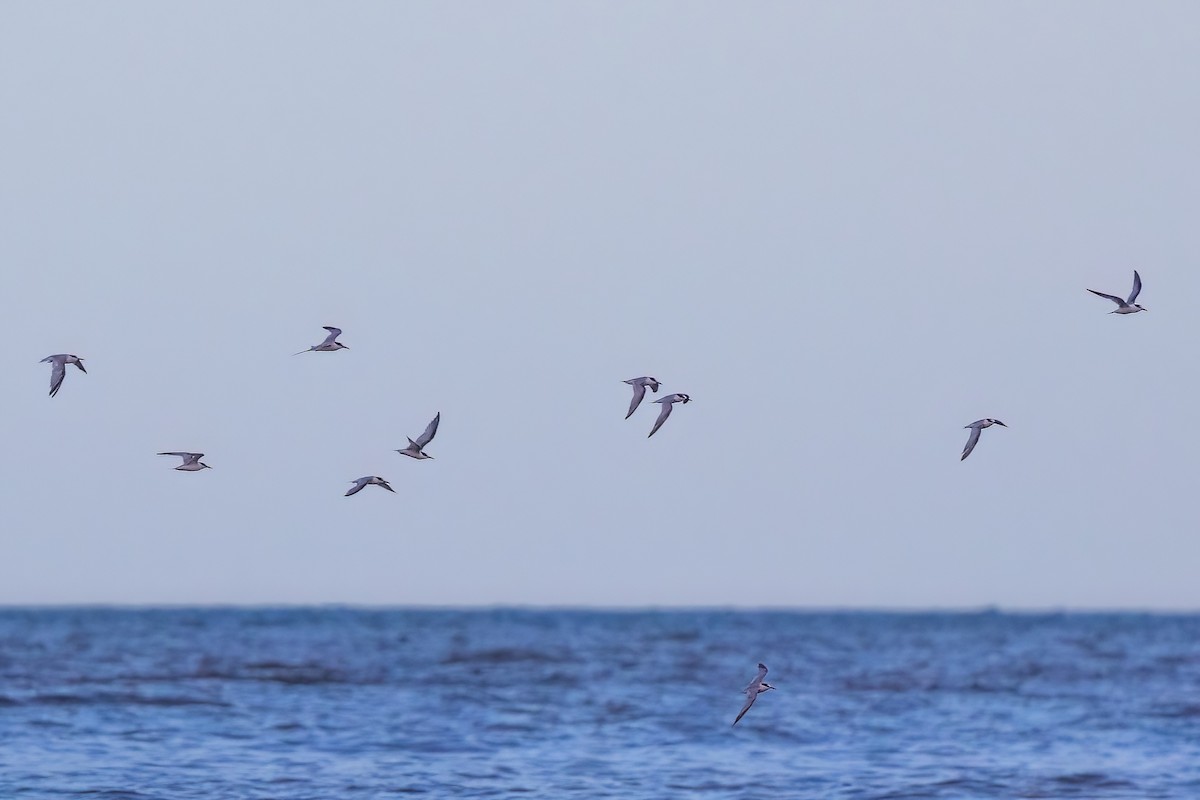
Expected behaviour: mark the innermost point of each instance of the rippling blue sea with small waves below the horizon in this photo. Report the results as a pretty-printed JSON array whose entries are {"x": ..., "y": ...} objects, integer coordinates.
[{"x": 327, "y": 703}]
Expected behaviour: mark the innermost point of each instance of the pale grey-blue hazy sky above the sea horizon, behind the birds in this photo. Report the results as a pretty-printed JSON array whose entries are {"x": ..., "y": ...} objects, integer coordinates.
[{"x": 847, "y": 230}]
